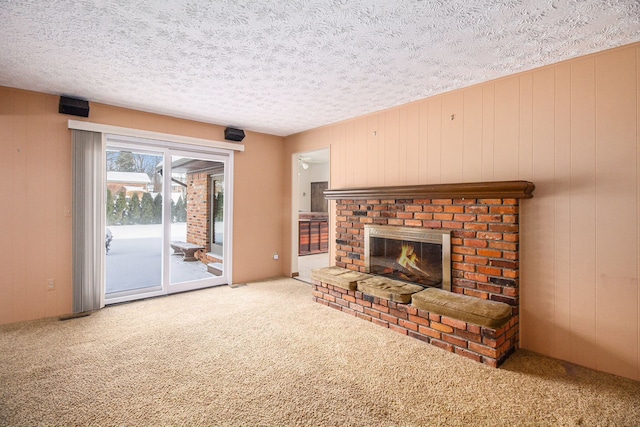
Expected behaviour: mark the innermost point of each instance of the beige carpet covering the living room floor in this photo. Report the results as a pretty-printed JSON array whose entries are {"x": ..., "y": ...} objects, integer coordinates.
[{"x": 266, "y": 355}]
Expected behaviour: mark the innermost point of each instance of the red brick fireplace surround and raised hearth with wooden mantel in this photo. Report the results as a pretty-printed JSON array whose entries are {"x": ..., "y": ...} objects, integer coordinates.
[{"x": 483, "y": 221}]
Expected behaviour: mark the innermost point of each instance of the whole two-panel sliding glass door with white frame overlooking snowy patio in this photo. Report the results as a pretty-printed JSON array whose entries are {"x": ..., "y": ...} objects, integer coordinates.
[{"x": 167, "y": 219}]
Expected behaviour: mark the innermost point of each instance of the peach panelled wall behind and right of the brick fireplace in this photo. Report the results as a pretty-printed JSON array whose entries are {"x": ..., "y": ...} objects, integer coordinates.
[{"x": 573, "y": 130}]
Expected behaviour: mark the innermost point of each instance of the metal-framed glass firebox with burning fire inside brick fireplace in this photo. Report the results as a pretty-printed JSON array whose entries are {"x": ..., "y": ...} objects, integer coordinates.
[{"x": 416, "y": 255}]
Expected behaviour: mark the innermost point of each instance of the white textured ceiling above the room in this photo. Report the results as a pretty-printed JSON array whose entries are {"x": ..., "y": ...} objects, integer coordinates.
[{"x": 283, "y": 67}]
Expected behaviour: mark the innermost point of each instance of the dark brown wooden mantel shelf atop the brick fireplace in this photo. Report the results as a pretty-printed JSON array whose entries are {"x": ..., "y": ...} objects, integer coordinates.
[{"x": 472, "y": 190}]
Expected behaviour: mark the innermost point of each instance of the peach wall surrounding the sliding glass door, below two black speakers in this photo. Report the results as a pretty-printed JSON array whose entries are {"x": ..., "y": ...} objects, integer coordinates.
[{"x": 35, "y": 195}]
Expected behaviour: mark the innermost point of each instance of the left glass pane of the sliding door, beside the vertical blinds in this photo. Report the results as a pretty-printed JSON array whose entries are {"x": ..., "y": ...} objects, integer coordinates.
[{"x": 134, "y": 207}]
